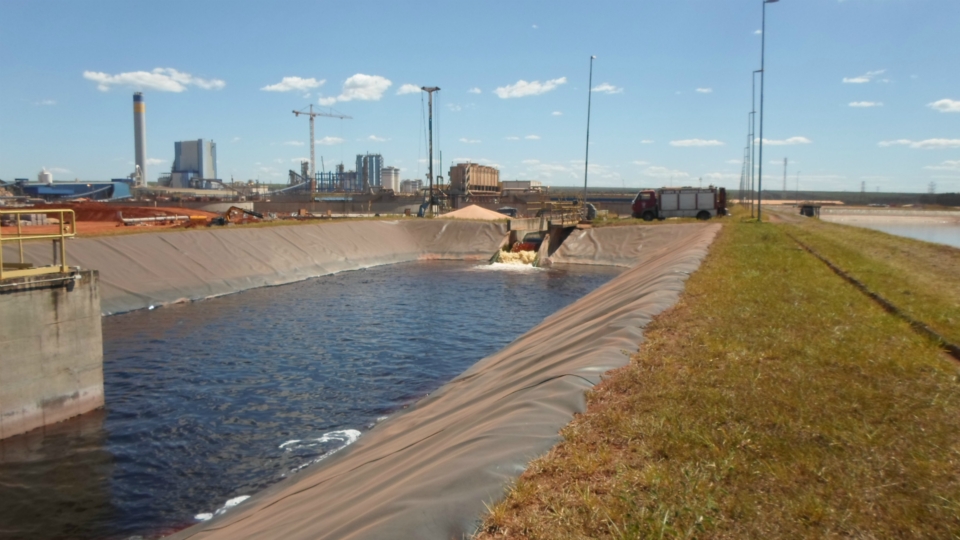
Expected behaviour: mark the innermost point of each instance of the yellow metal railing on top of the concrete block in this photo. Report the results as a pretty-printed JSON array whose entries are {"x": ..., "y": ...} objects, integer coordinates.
[{"x": 68, "y": 229}]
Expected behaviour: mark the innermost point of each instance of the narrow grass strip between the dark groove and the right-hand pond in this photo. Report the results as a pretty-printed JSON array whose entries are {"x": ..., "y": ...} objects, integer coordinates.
[{"x": 920, "y": 278}]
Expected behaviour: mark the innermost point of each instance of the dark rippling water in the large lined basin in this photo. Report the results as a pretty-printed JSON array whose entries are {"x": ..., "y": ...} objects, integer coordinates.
[{"x": 213, "y": 400}]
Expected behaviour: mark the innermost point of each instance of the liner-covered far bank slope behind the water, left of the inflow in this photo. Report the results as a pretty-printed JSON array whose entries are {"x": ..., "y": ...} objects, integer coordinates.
[{"x": 144, "y": 270}]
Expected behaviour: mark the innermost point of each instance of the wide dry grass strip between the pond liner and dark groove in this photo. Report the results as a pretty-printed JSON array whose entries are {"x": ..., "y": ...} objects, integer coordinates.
[{"x": 773, "y": 401}]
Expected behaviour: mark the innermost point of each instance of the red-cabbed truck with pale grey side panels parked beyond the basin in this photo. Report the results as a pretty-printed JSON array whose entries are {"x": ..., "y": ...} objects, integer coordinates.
[{"x": 701, "y": 203}]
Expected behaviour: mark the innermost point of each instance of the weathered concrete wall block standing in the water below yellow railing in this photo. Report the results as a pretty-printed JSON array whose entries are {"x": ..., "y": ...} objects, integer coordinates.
[{"x": 51, "y": 350}]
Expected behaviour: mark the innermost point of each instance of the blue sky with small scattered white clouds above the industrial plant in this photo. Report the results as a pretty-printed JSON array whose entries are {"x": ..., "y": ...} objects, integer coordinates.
[{"x": 858, "y": 93}]
